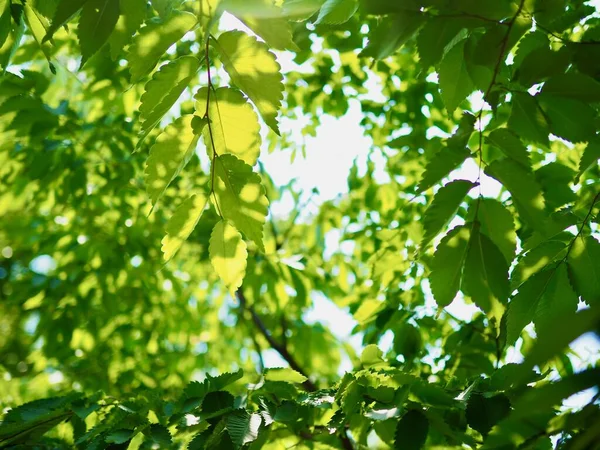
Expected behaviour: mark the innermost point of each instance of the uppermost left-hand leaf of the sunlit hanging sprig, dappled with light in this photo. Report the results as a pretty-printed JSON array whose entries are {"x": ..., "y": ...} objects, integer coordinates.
[{"x": 153, "y": 40}]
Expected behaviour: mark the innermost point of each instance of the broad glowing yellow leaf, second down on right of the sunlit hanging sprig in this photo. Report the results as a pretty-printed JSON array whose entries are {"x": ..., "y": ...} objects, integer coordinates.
[{"x": 234, "y": 124}]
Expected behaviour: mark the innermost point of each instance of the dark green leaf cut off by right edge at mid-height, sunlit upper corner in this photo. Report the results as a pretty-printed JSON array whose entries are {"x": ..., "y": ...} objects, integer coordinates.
[{"x": 584, "y": 268}]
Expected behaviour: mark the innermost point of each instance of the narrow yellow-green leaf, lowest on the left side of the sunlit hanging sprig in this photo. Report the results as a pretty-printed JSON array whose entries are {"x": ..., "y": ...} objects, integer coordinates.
[{"x": 181, "y": 224}]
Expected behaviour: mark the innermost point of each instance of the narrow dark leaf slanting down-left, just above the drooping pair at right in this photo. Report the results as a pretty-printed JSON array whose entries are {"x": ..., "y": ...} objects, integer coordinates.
[{"x": 443, "y": 208}]
